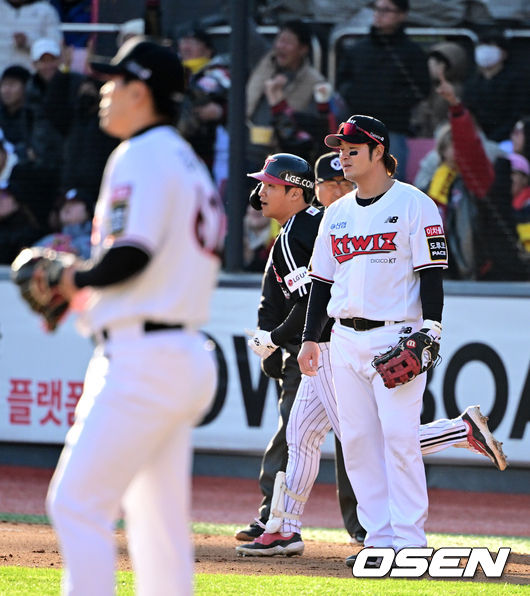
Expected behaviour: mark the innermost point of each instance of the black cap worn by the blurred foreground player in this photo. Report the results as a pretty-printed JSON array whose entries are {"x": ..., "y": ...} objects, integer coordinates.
[{"x": 157, "y": 66}]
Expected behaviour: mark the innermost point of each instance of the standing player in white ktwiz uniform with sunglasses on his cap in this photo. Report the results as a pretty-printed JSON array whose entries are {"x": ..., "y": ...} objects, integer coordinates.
[{"x": 377, "y": 270}]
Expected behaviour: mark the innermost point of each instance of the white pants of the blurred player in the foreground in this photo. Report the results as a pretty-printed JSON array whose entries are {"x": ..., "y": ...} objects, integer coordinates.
[{"x": 130, "y": 448}]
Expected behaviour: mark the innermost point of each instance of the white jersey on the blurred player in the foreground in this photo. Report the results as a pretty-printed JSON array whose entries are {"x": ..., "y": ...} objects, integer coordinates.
[{"x": 158, "y": 196}]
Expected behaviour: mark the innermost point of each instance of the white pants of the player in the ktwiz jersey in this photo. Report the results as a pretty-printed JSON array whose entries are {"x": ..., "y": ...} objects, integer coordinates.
[{"x": 379, "y": 429}]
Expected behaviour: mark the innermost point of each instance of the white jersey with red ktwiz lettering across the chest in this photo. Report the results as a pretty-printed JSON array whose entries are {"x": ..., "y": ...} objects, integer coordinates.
[{"x": 372, "y": 255}]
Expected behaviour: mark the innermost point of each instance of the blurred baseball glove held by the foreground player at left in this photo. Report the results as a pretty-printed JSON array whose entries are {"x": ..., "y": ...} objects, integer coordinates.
[{"x": 37, "y": 271}]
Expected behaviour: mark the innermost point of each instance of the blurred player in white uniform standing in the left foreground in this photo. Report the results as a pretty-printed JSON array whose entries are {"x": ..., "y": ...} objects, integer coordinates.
[{"x": 158, "y": 227}]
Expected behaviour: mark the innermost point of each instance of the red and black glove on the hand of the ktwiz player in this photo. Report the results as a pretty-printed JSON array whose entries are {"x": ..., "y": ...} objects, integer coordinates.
[{"x": 409, "y": 358}]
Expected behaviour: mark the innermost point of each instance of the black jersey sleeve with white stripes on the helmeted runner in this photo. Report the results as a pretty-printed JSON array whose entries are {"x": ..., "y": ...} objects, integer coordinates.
[{"x": 292, "y": 251}]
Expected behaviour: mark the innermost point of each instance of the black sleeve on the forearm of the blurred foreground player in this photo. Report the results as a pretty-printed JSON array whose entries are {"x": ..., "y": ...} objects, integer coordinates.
[{"x": 118, "y": 264}]
